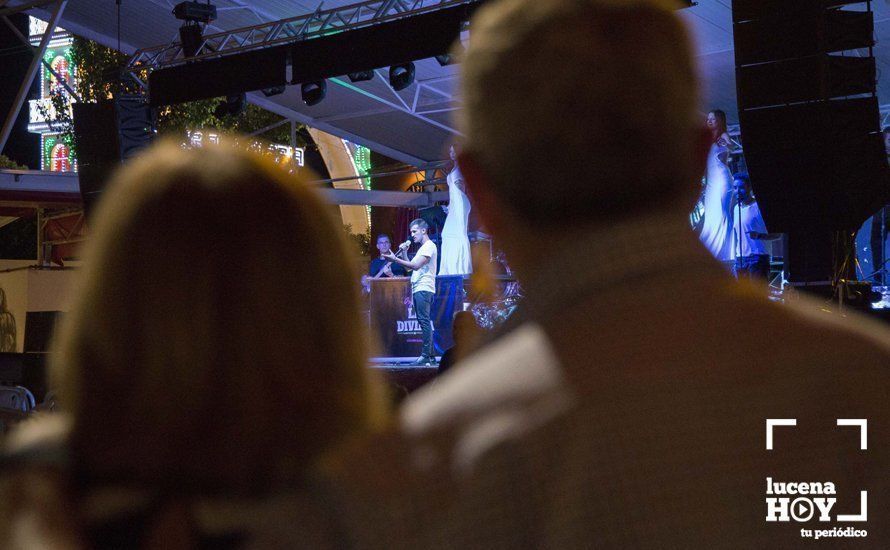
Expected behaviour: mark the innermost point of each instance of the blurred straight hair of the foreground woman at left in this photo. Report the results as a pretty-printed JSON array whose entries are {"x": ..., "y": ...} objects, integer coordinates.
[{"x": 215, "y": 341}]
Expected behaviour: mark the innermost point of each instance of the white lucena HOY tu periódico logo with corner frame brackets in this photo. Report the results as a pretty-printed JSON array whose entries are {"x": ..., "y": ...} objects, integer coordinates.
[{"x": 804, "y": 501}]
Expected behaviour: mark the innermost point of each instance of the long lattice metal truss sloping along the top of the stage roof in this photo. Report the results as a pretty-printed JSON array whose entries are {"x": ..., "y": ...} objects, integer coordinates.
[{"x": 318, "y": 23}]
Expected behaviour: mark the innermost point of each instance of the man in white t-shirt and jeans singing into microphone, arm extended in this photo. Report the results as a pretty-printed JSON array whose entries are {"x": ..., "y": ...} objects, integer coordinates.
[{"x": 423, "y": 284}]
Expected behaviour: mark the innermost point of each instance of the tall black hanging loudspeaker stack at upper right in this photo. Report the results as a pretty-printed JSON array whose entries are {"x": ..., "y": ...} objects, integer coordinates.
[{"x": 810, "y": 123}]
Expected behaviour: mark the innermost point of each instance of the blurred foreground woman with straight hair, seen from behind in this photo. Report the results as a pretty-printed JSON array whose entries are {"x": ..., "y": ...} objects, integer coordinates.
[{"x": 203, "y": 369}]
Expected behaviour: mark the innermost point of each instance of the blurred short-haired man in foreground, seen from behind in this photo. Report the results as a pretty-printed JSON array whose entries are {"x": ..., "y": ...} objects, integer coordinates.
[{"x": 631, "y": 411}]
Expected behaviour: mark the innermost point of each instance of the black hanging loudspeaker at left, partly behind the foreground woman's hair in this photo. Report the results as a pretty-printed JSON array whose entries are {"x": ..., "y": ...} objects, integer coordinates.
[{"x": 107, "y": 133}]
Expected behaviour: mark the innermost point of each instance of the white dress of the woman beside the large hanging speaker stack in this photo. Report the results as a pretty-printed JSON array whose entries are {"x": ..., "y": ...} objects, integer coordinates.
[{"x": 716, "y": 232}]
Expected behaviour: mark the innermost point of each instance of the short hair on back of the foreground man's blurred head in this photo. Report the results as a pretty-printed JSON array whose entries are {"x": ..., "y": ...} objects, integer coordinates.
[{"x": 579, "y": 108}]
